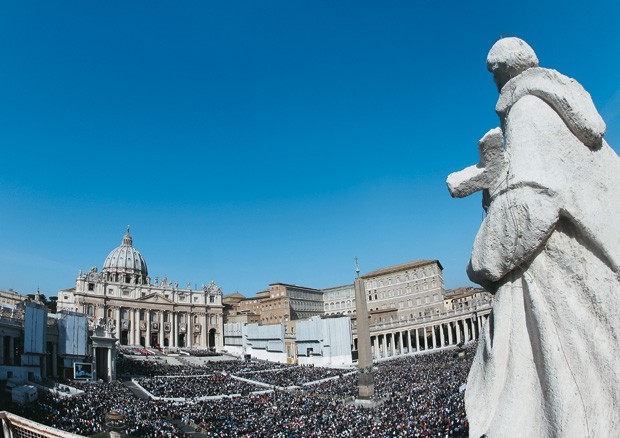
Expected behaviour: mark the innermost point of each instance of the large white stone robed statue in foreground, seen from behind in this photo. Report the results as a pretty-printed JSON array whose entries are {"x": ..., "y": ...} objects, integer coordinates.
[{"x": 548, "y": 360}]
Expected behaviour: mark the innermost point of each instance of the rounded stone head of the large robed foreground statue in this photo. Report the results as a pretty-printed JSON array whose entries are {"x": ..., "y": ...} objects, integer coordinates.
[{"x": 508, "y": 58}]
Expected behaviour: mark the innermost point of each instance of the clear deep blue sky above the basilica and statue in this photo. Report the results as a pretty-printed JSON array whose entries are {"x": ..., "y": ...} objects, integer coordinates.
[{"x": 251, "y": 142}]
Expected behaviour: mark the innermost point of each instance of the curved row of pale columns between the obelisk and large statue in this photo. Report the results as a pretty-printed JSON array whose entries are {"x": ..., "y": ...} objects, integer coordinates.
[{"x": 439, "y": 334}]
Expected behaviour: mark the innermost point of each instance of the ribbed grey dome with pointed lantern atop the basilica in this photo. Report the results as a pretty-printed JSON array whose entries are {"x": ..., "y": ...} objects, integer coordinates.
[{"x": 125, "y": 264}]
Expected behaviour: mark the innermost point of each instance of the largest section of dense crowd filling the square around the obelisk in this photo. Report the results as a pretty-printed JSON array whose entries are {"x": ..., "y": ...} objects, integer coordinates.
[{"x": 419, "y": 396}]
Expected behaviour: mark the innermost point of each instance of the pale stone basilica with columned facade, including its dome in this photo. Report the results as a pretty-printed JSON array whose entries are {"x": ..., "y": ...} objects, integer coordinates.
[{"x": 143, "y": 312}]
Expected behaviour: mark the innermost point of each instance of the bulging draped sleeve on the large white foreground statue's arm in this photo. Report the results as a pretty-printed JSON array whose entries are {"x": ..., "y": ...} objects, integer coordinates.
[{"x": 517, "y": 224}]
